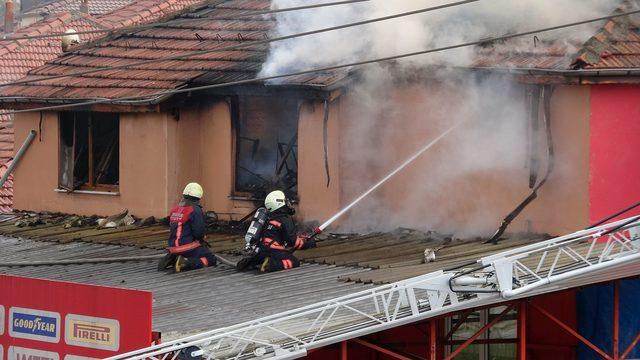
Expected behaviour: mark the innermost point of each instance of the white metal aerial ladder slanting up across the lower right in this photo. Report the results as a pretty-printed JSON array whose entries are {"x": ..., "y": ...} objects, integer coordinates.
[{"x": 602, "y": 253}]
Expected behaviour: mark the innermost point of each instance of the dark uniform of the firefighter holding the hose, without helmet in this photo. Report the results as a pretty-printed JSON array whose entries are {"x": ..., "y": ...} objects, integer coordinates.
[{"x": 278, "y": 236}]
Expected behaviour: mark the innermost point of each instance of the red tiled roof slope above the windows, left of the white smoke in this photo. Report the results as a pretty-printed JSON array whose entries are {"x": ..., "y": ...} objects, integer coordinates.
[{"x": 205, "y": 28}]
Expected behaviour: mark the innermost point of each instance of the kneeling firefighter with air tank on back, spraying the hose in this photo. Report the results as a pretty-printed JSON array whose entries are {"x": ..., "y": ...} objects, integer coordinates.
[{"x": 271, "y": 238}]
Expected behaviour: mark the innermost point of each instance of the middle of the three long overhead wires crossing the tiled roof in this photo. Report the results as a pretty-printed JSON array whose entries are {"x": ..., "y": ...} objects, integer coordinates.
[{"x": 242, "y": 45}]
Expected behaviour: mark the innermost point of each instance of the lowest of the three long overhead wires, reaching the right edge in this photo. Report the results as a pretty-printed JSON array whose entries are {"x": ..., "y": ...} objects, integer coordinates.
[{"x": 149, "y": 97}]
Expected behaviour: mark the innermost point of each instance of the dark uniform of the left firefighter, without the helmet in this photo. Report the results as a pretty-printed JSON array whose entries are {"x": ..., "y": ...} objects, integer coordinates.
[{"x": 187, "y": 233}]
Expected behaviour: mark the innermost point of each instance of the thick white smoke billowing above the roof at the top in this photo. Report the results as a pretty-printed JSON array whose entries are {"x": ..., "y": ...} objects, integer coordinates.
[{"x": 474, "y": 21}]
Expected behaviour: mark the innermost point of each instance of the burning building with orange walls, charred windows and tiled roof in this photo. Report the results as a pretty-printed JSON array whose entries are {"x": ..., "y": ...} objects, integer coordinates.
[{"x": 324, "y": 136}]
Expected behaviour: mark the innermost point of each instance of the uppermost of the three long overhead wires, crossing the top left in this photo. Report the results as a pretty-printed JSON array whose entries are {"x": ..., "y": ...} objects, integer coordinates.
[{"x": 180, "y": 21}]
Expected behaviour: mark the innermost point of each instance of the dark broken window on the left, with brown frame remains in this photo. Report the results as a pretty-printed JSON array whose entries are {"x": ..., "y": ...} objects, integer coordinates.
[{"x": 89, "y": 151}]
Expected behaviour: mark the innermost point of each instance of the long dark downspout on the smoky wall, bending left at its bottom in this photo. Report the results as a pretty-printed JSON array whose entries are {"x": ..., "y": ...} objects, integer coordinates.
[{"x": 546, "y": 98}]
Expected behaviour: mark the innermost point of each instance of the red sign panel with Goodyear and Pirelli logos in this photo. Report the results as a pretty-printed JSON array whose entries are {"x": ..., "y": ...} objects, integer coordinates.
[{"x": 54, "y": 320}]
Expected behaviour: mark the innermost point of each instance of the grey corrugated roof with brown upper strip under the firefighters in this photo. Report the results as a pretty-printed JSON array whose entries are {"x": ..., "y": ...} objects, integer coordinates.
[{"x": 218, "y": 297}]
